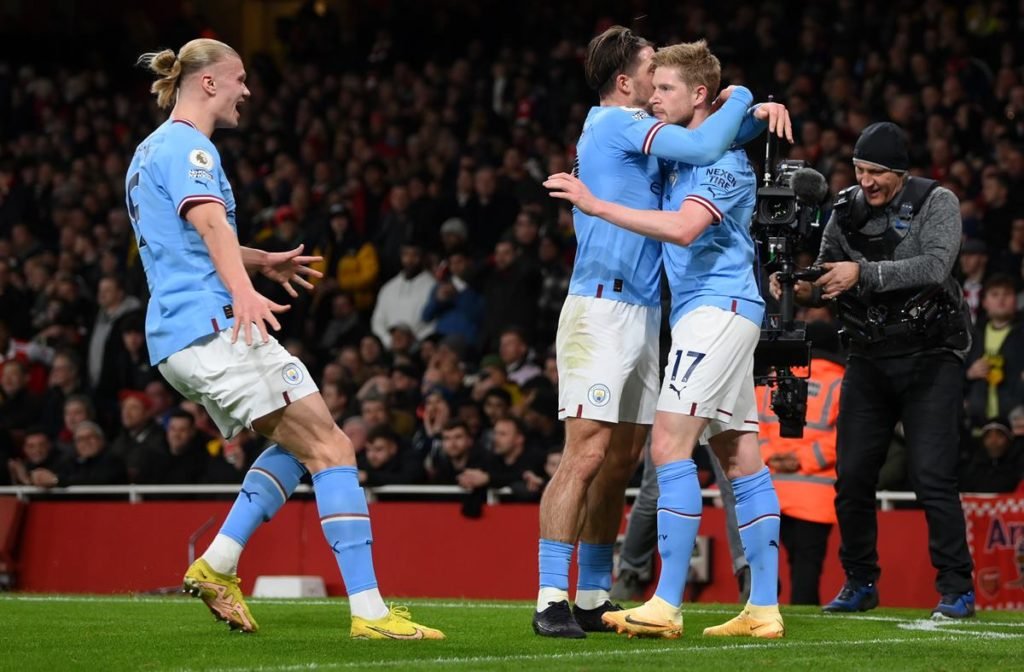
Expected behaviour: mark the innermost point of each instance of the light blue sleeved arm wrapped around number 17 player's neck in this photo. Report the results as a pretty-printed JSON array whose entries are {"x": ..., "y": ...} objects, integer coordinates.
[{"x": 706, "y": 145}]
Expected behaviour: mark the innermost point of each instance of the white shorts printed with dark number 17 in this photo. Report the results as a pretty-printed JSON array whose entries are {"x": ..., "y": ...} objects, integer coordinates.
[{"x": 710, "y": 372}]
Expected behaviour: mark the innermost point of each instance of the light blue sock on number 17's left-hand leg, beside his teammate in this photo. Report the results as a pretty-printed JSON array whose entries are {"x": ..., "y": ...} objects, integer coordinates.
[{"x": 679, "y": 510}]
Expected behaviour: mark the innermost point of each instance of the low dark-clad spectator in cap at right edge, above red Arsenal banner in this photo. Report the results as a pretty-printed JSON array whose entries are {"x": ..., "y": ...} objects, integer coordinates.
[{"x": 997, "y": 466}]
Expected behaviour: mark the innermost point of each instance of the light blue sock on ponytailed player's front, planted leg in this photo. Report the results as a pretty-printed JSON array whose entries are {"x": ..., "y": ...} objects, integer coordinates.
[{"x": 346, "y": 521}]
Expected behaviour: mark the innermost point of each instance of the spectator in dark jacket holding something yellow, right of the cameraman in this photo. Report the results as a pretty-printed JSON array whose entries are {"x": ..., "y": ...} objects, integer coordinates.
[{"x": 996, "y": 363}]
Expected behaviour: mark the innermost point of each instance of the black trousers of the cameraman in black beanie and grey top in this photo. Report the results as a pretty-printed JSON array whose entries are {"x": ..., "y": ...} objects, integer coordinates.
[{"x": 926, "y": 394}]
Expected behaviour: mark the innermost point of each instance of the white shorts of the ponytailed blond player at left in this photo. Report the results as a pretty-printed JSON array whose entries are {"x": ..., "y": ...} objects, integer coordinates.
[{"x": 238, "y": 384}]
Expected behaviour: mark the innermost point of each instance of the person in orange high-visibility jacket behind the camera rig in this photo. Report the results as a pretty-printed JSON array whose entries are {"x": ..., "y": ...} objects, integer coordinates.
[{"x": 804, "y": 470}]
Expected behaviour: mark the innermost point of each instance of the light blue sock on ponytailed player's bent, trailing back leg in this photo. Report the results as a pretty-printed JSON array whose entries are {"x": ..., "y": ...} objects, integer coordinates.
[{"x": 269, "y": 484}]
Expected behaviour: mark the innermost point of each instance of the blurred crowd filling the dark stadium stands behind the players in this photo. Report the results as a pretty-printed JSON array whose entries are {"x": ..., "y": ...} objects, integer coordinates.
[{"x": 417, "y": 177}]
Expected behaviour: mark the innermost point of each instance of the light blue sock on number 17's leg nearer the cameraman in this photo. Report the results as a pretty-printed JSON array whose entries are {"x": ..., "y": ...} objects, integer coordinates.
[{"x": 758, "y": 518}]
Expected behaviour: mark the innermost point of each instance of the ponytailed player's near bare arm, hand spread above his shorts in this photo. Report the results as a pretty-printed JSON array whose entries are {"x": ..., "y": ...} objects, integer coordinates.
[{"x": 249, "y": 307}]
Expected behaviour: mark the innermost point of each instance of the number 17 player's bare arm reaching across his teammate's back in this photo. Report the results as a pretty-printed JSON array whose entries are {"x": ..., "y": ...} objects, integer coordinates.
[{"x": 679, "y": 227}]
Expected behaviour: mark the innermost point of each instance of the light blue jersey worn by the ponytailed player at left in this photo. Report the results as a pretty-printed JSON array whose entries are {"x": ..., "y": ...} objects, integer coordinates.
[{"x": 174, "y": 170}]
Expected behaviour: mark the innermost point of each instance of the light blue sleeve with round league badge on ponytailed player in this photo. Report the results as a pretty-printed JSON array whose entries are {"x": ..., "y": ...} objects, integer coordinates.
[{"x": 192, "y": 175}]
